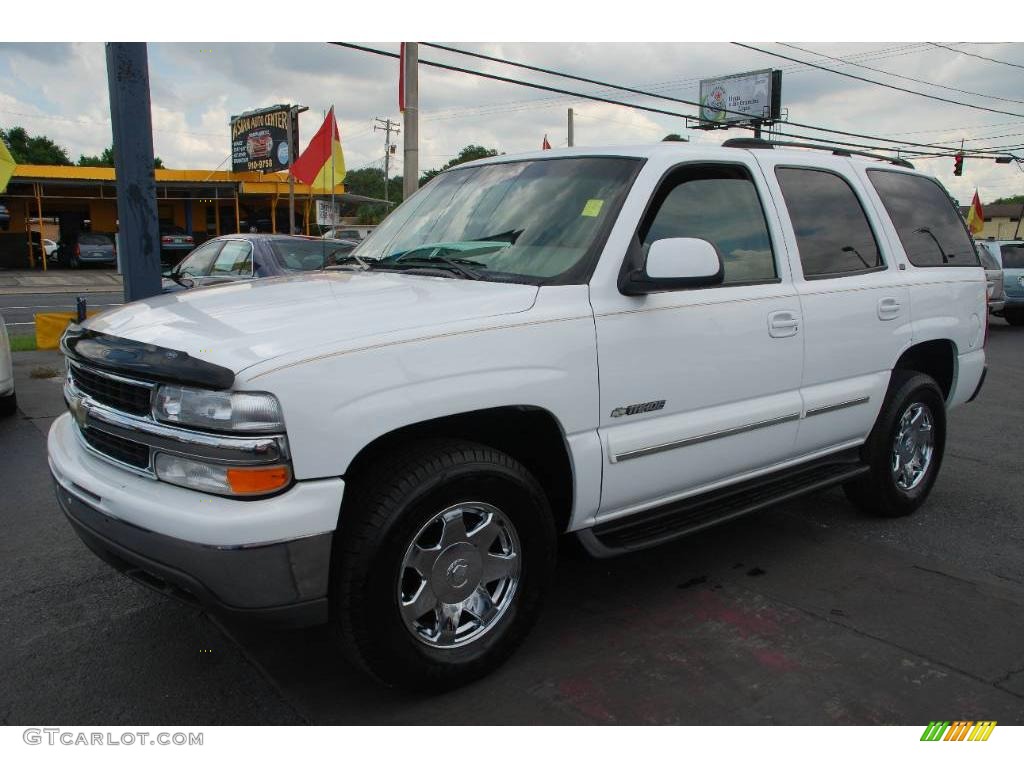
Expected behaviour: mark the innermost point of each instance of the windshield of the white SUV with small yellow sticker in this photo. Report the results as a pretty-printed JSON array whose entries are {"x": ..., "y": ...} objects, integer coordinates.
[{"x": 533, "y": 221}]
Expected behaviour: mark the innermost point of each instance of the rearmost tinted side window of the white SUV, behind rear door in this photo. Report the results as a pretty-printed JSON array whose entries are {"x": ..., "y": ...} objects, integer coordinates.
[{"x": 929, "y": 226}]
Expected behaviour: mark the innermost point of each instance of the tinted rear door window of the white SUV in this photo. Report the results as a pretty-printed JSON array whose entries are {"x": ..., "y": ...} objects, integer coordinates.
[{"x": 833, "y": 234}]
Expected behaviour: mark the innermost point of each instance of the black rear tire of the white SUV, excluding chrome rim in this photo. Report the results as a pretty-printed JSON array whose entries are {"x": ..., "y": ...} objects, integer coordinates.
[{"x": 878, "y": 493}]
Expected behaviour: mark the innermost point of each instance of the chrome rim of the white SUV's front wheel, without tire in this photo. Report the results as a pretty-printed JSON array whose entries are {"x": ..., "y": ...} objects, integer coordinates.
[{"x": 460, "y": 575}]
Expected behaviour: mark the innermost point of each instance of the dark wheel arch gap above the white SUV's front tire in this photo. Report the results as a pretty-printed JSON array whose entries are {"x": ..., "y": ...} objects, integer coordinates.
[{"x": 531, "y": 435}]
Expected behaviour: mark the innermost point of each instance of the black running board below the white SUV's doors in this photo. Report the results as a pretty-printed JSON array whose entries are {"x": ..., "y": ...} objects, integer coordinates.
[{"x": 687, "y": 517}]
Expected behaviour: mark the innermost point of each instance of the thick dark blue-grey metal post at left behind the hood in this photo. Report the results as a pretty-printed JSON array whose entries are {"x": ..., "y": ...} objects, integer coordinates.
[{"x": 132, "y": 120}]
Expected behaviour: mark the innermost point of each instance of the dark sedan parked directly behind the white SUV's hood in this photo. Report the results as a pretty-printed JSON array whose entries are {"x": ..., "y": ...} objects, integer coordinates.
[{"x": 235, "y": 258}]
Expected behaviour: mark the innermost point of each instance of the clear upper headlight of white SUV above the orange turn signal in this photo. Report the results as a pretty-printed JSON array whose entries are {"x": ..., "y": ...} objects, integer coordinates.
[{"x": 226, "y": 412}]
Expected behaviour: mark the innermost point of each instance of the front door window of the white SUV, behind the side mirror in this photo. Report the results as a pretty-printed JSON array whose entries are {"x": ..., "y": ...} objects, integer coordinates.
[{"x": 718, "y": 204}]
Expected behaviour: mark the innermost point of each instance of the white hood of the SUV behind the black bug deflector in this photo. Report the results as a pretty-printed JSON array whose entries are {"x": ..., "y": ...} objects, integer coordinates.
[{"x": 241, "y": 324}]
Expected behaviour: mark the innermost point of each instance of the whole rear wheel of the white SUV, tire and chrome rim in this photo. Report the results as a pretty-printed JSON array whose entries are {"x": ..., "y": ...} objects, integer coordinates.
[{"x": 905, "y": 450}]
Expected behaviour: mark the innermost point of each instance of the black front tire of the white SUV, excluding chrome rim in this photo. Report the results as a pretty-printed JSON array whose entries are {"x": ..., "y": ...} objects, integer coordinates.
[{"x": 385, "y": 510}]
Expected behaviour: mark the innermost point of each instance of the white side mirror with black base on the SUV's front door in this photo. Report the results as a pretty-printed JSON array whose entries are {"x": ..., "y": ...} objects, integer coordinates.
[{"x": 673, "y": 264}]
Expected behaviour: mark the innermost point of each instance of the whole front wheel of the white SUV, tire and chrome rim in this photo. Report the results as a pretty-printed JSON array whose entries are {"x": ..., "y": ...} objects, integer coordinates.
[{"x": 442, "y": 560}]
